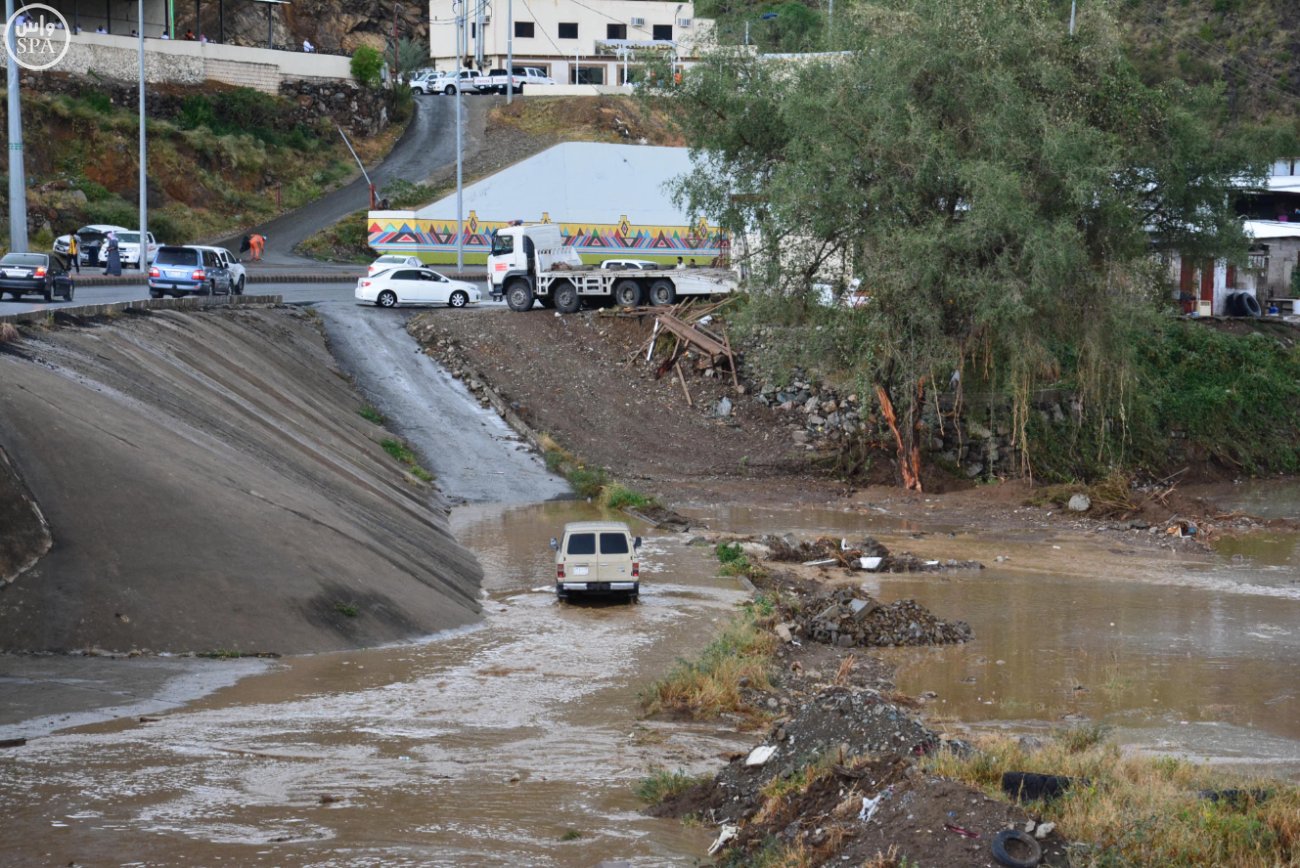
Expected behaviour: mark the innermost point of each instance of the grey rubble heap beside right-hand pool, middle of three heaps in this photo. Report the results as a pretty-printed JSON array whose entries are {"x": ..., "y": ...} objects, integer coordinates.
[{"x": 850, "y": 618}]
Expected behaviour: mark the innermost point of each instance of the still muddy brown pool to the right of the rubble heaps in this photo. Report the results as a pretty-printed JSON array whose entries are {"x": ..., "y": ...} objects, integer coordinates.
[{"x": 1190, "y": 654}]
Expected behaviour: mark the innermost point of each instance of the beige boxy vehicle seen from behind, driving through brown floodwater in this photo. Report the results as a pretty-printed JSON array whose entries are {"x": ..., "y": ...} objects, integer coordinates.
[{"x": 597, "y": 558}]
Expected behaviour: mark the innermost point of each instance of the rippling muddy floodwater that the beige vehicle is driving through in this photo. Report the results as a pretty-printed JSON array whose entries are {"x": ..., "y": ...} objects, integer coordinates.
[{"x": 513, "y": 744}]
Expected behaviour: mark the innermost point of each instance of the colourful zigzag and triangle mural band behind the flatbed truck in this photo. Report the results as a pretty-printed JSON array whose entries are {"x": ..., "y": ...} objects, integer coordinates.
[{"x": 435, "y": 241}]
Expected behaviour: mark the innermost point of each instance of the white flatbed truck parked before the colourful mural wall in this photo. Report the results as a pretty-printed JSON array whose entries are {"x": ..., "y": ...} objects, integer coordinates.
[{"x": 531, "y": 263}]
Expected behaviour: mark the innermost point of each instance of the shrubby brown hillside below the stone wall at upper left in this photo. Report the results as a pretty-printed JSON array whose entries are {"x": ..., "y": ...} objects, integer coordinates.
[{"x": 222, "y": 158}]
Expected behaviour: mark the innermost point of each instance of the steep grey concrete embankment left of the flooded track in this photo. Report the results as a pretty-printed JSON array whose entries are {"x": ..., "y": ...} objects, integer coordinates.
[{"x": 209, "y": 485}]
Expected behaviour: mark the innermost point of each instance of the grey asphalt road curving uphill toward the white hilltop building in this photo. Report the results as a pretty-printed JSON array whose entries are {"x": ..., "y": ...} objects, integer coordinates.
[{"x": 428, "y": 145}]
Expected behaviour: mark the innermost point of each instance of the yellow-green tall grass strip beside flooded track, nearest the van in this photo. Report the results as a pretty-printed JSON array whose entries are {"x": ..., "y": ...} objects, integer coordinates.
[{"x": 712, "y": 685}]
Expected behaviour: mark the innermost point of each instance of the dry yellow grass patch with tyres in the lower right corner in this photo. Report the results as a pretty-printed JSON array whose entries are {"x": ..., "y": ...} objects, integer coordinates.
[{"x": 1142, "y": 810}]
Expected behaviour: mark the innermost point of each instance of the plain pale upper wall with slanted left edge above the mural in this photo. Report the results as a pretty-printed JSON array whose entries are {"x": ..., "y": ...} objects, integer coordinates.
[{"x": 579, "y": 183}]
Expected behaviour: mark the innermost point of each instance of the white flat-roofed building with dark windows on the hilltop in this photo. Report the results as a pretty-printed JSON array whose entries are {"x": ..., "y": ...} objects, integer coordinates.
[{"x": 575, "y": 42}]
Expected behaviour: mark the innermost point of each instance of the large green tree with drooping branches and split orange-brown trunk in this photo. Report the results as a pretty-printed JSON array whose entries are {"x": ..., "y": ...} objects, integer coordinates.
[{"x": 999, "y": 186}]
